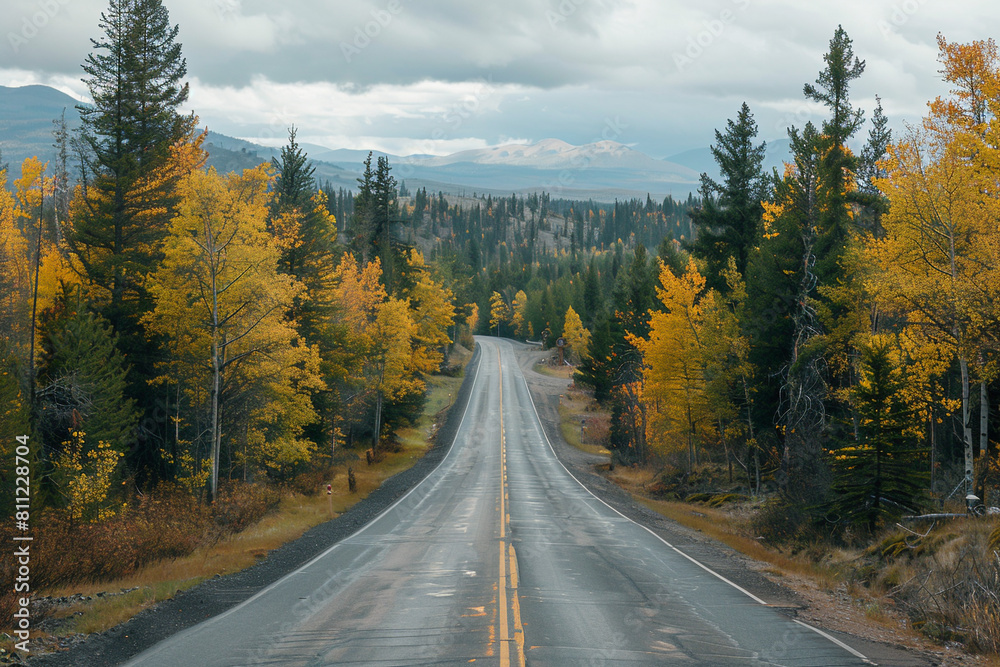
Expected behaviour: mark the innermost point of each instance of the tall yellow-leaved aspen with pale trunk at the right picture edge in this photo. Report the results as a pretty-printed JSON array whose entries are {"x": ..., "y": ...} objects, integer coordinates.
[{"x": 938, "y": 261}]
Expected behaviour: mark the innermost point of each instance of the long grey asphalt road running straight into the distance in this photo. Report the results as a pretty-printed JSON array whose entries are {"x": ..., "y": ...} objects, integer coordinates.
[{"x": 501, "y": 557}]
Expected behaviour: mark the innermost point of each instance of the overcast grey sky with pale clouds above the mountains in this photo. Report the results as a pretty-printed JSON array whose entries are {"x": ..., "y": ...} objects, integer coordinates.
[{"x": 437, "y": 76}]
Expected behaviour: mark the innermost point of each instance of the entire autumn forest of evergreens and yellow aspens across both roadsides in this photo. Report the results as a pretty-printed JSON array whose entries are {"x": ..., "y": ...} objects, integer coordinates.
[{"x": 828, "y": 335}]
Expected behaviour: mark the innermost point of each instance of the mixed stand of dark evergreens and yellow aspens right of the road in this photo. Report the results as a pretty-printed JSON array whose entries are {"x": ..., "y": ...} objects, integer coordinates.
[{"x": 831, "y": 331}]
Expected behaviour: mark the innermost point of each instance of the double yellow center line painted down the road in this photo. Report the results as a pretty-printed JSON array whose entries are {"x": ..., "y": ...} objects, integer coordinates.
[{"x": 510, "y": 614}]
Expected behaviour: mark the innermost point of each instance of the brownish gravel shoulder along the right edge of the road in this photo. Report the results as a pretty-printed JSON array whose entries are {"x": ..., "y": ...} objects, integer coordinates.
[{"x": 835, "y": 613}]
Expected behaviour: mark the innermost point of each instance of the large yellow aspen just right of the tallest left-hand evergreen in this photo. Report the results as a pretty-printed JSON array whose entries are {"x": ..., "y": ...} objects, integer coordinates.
[{"x": 220, "y": 296}]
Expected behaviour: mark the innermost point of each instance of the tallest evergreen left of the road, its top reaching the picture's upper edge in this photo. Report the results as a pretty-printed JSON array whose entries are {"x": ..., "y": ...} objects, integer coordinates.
[{"x": 131, "y": 136}]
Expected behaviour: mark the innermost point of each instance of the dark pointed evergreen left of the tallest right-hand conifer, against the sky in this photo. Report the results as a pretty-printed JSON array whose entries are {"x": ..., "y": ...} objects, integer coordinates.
[{"x": 729, "y": 217}]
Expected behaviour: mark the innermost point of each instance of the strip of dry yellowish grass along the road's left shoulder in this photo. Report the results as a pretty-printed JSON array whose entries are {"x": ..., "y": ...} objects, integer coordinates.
[{"x": 295, "y": 515}]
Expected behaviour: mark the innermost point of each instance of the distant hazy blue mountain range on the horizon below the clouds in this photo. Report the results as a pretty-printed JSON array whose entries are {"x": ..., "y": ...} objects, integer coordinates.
[{"x": 603, "y": 171}]
